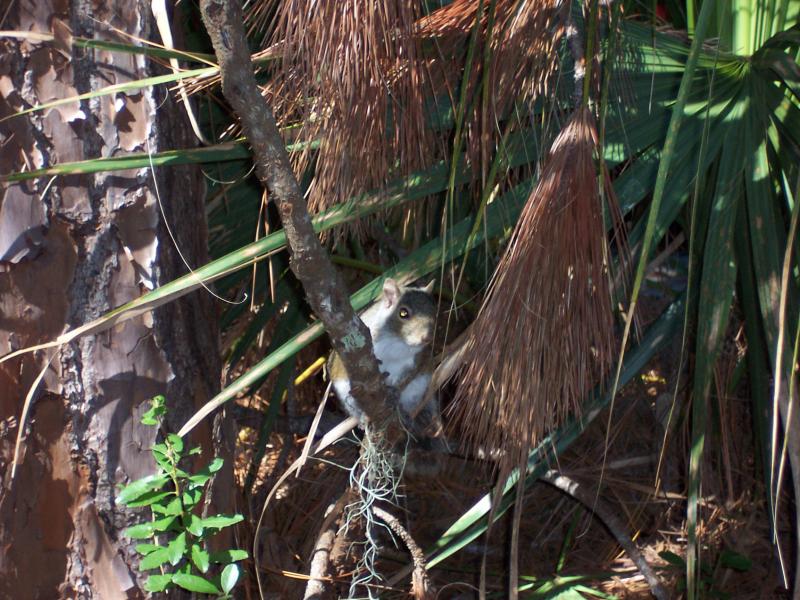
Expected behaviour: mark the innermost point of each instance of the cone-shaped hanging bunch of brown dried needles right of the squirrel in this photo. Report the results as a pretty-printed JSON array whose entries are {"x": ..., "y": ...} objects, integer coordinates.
[{"x": 544, "y": 336}]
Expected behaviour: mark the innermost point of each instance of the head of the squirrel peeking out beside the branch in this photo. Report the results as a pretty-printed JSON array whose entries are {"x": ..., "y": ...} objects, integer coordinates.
[{"x": 413, "y": 312}]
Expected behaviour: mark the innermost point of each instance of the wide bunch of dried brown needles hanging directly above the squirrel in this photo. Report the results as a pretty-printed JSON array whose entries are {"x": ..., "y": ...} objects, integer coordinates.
[{"x": 355, "y": 84}]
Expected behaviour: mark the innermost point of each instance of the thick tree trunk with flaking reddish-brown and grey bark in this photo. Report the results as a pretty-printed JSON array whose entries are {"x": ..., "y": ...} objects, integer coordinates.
[{"x": 70, "y": 250}]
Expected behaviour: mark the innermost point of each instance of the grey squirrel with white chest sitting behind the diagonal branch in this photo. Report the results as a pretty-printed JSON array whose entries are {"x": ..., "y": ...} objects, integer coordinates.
[{"x": 401, "y": 324}]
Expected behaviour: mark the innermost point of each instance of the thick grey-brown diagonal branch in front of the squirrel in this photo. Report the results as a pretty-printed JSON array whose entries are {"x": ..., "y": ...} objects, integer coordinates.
[{"x": 324, "y": 289}]
